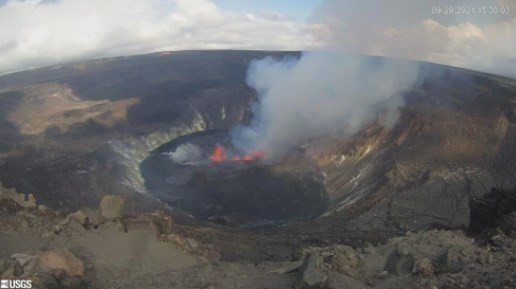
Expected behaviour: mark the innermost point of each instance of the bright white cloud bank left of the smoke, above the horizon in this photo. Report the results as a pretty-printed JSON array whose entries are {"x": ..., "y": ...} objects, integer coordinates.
[{"x": 36, "y": 33}]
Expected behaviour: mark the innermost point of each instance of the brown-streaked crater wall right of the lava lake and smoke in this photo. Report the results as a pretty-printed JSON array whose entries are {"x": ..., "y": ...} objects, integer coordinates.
[{"x": 454, "y": 141}]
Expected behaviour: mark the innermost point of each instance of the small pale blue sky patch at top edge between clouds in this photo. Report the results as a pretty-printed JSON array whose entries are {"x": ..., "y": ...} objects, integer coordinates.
[{"x": 299, "y": 9}]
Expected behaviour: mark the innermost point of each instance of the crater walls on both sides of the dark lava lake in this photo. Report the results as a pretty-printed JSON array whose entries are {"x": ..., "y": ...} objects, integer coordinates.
[{"x": 71, "y": 133}]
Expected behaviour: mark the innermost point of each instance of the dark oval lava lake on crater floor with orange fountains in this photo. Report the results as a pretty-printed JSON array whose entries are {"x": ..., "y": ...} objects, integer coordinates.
[{"x": 230, "y": 189}]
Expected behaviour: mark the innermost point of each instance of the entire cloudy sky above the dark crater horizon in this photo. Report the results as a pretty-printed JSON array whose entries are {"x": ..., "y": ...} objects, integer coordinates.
[{"x": 37, "y": 33}]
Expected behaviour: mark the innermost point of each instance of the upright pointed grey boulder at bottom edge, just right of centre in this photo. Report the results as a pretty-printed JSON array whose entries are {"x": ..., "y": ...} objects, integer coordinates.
[{"x": 312, "y": 274}]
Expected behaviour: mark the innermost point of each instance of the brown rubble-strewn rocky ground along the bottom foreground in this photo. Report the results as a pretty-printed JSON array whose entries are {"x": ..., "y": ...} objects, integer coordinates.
[{"x": 106, "y": 249}]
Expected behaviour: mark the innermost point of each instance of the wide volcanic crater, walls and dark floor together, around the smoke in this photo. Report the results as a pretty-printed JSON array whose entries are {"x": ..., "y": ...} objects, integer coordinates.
[{"x": 454, "y": 140}]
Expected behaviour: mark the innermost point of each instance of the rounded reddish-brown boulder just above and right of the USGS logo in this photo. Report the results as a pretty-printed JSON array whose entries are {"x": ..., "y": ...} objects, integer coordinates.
[{"x": 61, "y": 259}]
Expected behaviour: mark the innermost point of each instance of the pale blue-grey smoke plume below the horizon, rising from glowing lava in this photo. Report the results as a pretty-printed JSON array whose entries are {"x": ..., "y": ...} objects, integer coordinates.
[{"x": 321, "y": 94}]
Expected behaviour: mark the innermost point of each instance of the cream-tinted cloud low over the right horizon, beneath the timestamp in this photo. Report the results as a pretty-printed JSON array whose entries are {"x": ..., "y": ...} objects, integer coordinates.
[{"x": 463, "y": 45}]
